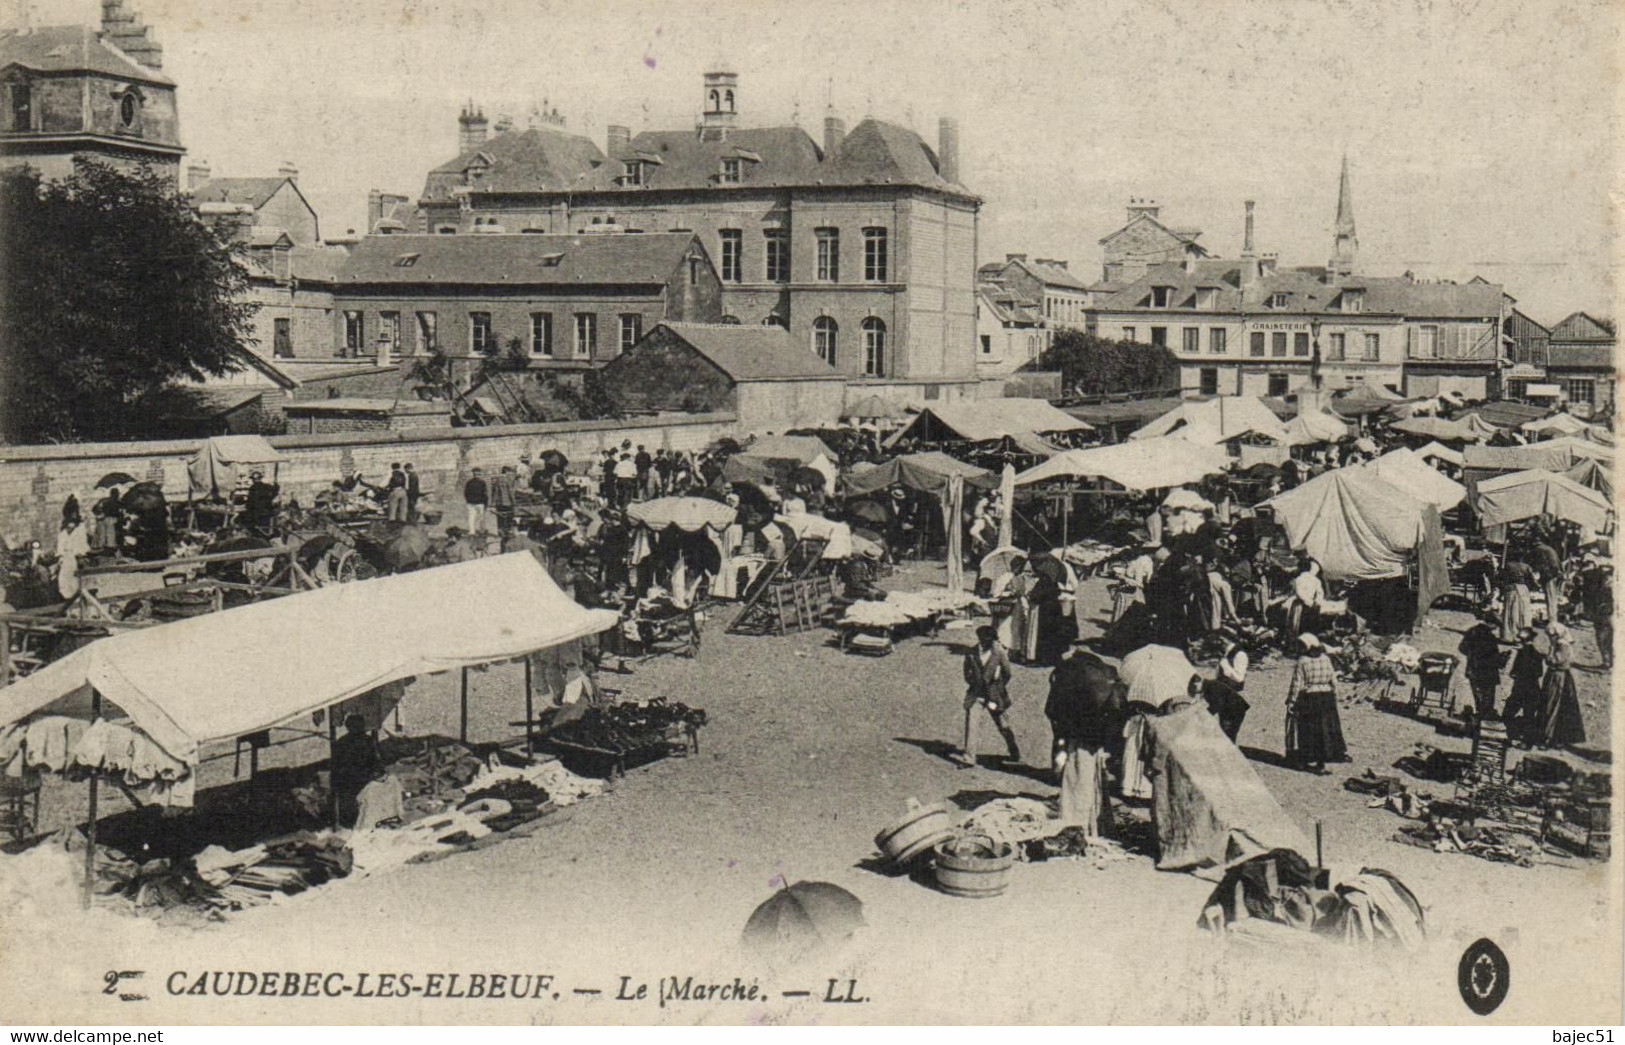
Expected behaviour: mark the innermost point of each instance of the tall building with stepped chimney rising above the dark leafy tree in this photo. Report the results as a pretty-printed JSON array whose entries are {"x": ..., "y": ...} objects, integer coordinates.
[{"x": 80, "y": 92}]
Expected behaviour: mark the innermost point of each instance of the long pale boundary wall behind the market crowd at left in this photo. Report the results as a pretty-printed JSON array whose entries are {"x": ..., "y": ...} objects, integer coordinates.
[{"x": 35, "y": 482}]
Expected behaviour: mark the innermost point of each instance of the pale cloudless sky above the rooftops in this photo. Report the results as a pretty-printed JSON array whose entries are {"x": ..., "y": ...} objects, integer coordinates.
[{"x": 1481, "y": 134}]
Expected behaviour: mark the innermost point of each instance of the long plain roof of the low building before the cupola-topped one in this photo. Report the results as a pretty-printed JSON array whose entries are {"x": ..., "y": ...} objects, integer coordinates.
[{"x": 518, "y": 259}]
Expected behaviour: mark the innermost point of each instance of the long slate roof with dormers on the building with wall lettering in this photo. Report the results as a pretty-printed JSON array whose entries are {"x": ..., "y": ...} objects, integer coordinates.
[{"x": 1307, "y": 292}]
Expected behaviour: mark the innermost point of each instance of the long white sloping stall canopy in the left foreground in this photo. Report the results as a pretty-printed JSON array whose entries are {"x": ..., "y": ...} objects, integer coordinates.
[{"x": 225, "y": 675}]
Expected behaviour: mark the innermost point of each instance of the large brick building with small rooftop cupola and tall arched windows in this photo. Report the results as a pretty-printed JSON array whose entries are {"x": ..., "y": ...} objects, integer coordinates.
[{"x": 862, "y": 246}]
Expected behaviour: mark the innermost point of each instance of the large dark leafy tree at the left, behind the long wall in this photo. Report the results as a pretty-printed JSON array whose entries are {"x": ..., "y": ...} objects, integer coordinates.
[{"x": 111, "y": 292}]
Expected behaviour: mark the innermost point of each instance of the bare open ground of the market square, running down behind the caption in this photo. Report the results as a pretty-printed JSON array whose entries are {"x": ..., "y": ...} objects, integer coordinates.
[{"x": 807, "y": 755}]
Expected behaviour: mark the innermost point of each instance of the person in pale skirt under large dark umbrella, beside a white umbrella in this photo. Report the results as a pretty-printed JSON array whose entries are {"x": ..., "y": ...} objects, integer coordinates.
[{"x": 1086, "y": 714}]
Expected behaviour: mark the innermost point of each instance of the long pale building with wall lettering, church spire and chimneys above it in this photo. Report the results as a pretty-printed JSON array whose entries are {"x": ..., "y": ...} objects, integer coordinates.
[{"x": 1252, "y": 327}]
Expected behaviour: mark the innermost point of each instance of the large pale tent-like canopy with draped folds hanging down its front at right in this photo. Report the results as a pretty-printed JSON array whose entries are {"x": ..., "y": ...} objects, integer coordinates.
[{"x": 1354, "y": 524}]
